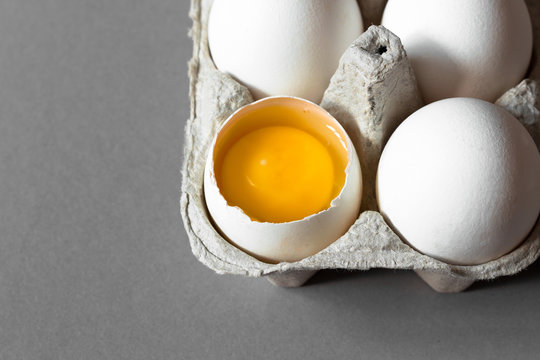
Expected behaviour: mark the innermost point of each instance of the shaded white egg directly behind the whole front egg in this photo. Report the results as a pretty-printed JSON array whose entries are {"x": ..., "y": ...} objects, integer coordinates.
[{"x": 463, "y": 48}]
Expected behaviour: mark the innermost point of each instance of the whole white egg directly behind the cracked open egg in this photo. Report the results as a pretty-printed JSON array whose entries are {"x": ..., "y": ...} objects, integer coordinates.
[{"x": 282, "y": 47}]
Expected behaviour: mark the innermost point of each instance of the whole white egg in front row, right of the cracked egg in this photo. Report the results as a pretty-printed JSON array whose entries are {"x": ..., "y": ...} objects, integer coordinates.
[{"x": 459, "y": 180}]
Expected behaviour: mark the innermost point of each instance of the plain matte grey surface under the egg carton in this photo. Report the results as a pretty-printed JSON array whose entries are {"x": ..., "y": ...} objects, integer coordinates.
[{"x": 94, "y": 260}]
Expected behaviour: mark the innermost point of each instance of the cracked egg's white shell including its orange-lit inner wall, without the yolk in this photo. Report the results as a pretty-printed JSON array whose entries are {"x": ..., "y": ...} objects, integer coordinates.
[{"x": 286, "y": 241}]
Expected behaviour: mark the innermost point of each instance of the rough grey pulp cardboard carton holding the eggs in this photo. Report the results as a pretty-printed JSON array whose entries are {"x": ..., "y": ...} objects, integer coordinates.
[{"x": 373, "y": 90}]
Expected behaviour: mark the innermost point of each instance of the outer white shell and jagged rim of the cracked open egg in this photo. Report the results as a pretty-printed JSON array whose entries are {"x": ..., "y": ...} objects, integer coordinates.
[{"x": 289, "y": 241}]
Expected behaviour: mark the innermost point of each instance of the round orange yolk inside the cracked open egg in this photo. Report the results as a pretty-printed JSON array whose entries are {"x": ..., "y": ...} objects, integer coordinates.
[{"x": 278, "y": 174}]
